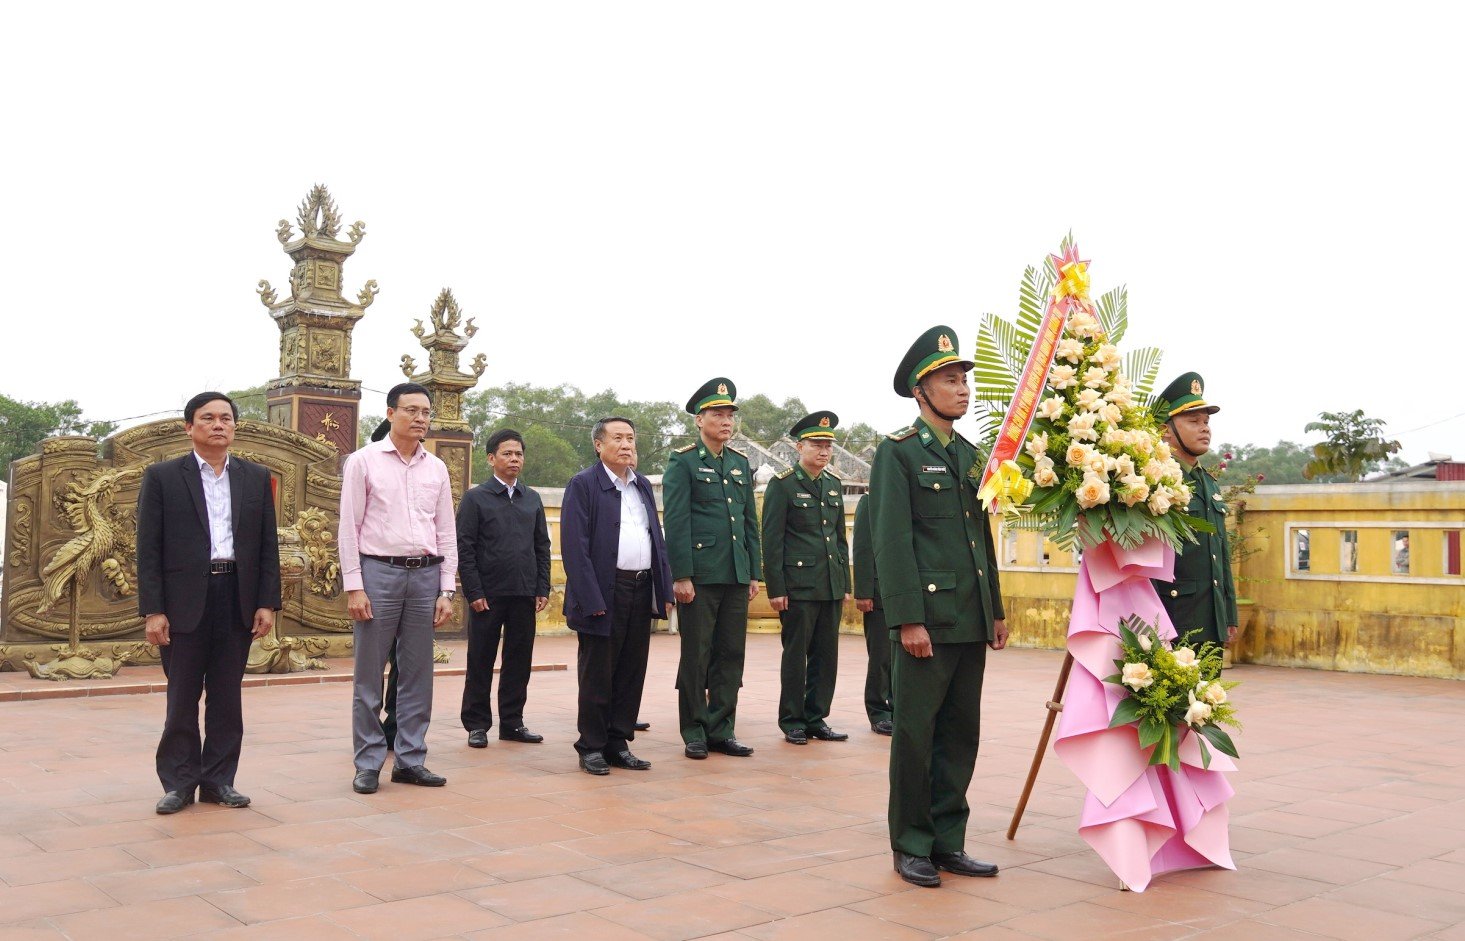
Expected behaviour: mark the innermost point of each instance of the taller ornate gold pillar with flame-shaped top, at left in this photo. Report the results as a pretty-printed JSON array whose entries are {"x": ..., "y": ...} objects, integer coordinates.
[{"x": 314, "y": 394}]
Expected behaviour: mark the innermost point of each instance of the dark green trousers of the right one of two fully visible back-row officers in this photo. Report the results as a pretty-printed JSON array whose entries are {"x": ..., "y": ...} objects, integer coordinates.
[{"x": 811, "y": 662}]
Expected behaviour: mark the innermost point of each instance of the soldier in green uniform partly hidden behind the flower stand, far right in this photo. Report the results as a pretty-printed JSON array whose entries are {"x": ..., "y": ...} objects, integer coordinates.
[{"x": 1203, "y": 596}]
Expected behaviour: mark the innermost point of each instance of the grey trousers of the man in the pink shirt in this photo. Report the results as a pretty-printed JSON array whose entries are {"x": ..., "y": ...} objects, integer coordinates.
[{"x": 402, "y": 603}]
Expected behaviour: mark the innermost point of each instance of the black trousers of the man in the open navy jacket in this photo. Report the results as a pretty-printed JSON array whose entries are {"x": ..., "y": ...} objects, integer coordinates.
[{"x": 613, "y": 672}]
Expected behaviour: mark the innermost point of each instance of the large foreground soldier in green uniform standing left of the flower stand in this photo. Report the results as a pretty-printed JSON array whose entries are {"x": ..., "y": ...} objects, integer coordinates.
[{"x": 943, "y": 602}]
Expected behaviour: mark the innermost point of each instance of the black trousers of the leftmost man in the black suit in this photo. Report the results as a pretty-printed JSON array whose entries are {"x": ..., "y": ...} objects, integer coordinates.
[{"x": 209, "y": 659}]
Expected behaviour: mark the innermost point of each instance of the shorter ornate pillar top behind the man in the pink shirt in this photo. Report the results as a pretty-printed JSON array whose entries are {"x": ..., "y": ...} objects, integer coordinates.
[{"x": 449, "y": 438}]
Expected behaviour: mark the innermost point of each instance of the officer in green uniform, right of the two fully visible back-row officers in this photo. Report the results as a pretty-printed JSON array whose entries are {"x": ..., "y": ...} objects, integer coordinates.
[{"x": 806, "y": 567}]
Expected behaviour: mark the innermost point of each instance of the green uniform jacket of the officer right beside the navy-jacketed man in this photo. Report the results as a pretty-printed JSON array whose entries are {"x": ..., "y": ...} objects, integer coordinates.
[{"x": 711, "y": 517}]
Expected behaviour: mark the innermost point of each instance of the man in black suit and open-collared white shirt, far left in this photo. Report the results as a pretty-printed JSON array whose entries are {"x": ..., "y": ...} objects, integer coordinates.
[{"x": 209, "y": 581}]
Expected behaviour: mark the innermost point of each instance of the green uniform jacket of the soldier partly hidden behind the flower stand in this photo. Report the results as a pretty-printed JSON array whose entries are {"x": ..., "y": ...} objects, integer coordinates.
[{"x": 1203, "y": 596}]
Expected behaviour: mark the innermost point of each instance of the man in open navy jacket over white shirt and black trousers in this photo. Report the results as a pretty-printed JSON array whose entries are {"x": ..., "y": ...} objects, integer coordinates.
[{"x": 617, "y": 581}]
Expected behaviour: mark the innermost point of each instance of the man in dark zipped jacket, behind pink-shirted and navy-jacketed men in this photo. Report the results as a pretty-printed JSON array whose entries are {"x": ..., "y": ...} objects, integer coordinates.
[{"x": 505, "y": 568}]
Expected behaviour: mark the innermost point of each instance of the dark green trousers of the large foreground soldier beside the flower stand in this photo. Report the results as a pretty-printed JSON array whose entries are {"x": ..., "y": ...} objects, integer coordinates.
[{"x": 938, "y": 720}]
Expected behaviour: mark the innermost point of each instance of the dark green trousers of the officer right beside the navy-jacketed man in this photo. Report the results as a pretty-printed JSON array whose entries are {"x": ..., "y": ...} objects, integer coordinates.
[{"x": 714, "y": 638}]
